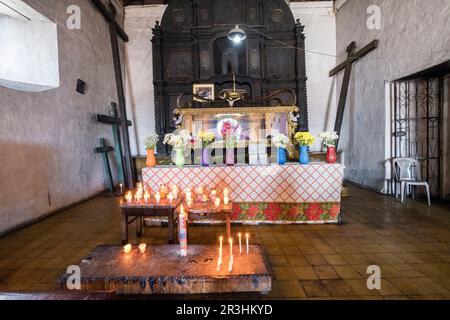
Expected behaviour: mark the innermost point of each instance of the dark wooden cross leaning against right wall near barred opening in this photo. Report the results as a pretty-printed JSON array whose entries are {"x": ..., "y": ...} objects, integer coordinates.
[{"x": 352, "y": 57}]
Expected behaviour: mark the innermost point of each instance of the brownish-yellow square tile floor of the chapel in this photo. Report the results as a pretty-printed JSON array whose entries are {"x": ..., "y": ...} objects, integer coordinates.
[{"x": 410, "y": 243}]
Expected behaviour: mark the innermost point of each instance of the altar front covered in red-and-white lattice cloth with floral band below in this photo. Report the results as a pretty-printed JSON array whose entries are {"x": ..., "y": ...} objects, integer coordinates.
[{"x": 288, "y": 194}]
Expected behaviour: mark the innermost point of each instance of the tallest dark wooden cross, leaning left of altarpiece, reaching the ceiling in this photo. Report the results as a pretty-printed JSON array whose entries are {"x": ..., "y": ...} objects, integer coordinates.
[{"x": 116, "y": 31}]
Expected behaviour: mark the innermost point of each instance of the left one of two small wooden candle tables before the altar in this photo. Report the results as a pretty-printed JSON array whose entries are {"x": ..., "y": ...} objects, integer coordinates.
[{"x": 138, "y": 211}]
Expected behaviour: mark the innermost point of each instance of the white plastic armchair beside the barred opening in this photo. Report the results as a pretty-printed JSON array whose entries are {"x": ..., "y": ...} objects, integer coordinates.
[{"x": 407, "y": 172}]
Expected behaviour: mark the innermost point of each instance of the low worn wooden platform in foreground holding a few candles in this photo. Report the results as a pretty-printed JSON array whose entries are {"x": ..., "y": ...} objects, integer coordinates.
[{"x": 161, "y": 271}]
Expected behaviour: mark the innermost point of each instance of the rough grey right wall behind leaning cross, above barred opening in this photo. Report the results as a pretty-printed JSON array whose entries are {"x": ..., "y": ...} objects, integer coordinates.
[{"x": 412, "y": 39}]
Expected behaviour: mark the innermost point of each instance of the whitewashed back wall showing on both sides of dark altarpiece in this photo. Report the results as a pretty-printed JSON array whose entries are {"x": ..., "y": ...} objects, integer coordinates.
[{"x": 320, "y": 37}]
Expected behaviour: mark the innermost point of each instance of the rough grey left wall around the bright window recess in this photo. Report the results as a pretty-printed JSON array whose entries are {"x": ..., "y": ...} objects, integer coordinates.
[{"x": 47, "y": 139}]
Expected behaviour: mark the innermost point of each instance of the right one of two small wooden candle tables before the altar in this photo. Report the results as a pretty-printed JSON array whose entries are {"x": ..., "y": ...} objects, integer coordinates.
[{"x": 207, "y": 212}]
